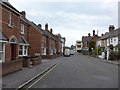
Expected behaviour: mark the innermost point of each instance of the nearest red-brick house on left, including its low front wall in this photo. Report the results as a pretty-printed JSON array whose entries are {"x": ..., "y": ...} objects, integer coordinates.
[{"x": 14, "y": 29}]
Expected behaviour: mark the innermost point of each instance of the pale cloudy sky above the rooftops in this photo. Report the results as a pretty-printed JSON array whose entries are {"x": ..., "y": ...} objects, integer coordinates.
[{"x": 71, "y": 18}]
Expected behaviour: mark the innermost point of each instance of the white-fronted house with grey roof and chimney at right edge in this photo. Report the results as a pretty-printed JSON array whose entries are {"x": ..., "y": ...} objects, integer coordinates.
[{"x": 108, "y": 39}]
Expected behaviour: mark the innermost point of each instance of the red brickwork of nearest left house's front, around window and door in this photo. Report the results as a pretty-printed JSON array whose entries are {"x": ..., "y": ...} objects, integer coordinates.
[{"x": 10, "y": 31}]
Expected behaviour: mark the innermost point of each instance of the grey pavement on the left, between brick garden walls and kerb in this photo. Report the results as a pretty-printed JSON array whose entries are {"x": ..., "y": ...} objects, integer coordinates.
[{"x": 16, "y": 79}]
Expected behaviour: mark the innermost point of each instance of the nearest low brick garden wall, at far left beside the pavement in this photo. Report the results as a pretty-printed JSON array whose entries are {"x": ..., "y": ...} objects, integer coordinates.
[{"x": 11, "y": 66}]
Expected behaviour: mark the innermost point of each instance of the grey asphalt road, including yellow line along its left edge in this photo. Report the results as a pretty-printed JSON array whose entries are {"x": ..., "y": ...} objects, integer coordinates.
[{"x": 79, "y": 71}]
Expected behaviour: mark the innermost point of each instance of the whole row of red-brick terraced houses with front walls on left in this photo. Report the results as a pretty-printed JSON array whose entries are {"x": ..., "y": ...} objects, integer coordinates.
[{"x": 22, "y": 40}]
